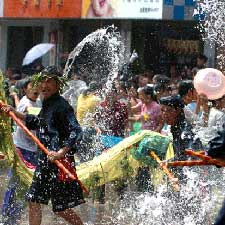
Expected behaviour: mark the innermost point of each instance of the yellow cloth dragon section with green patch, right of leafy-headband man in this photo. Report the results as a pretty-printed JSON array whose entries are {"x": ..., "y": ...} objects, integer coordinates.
[{"x": 109, "y": 166}]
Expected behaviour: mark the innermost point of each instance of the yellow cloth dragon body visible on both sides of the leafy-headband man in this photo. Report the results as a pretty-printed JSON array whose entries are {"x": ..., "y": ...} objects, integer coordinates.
[{"x": 113, "y": 164}]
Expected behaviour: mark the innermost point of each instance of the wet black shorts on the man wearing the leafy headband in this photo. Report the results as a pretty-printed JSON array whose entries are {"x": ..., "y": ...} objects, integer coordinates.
[{"x": 46, "y": 186}]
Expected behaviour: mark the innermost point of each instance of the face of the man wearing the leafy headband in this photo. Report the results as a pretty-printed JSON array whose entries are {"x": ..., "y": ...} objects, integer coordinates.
[{"x": 49, "y": 87}]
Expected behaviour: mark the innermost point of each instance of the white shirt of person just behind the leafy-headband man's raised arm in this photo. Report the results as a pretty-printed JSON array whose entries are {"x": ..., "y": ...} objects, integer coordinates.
[{"x": 20, "y": 138}]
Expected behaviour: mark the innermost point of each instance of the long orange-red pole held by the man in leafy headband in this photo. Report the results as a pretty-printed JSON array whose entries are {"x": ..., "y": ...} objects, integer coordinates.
[{"x": 44, "y": 149}]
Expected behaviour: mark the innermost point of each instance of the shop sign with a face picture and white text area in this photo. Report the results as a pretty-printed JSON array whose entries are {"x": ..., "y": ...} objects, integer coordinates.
[{"x": 130, "y": 9}]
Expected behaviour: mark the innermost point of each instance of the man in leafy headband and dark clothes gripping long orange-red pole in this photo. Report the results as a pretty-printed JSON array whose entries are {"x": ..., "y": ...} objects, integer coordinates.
[{"x": 58, "y": 129}]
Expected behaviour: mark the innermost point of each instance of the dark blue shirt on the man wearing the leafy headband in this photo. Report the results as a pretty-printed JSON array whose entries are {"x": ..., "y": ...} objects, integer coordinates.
[{"x": 56, "y": 124}]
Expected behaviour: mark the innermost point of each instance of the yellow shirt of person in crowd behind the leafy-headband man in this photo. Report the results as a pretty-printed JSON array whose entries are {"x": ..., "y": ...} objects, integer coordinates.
[{"x": 86, "y": 105}]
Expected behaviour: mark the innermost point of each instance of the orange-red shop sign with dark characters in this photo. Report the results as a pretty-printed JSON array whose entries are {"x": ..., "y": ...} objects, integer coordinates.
[{"x": 42, "y": 9}]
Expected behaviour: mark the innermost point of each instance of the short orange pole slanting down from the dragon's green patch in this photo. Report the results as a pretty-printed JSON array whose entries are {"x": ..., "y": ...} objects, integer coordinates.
[{"x": 163, "y": 166}]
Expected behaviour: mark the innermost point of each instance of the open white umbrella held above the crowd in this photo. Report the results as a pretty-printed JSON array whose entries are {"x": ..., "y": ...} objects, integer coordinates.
[{"x": 36, "y": 52}]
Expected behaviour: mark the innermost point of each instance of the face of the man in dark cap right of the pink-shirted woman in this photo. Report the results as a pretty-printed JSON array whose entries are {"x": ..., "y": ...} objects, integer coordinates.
[{"x": 169, "y": 114}]
